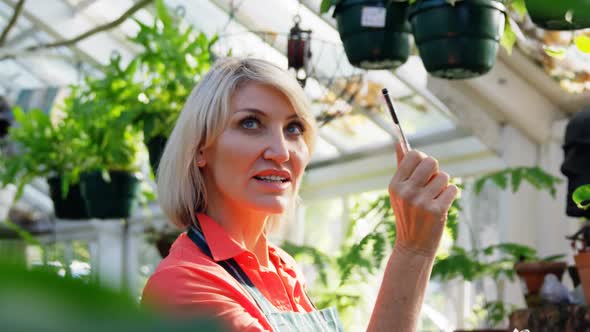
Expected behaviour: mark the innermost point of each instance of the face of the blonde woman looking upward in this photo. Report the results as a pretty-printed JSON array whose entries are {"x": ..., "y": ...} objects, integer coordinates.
[{"x": 258, "y": 160}]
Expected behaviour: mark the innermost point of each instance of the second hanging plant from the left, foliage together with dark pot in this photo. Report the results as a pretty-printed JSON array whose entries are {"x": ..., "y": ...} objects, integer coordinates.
[{"x": 103, "y": 109}]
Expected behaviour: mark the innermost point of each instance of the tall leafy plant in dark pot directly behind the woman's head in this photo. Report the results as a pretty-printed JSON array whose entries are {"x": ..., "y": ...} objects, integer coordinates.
[{"x": 173, "y": 60}]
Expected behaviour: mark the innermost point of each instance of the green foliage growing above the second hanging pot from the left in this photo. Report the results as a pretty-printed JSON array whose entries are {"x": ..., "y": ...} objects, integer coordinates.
[{"x": 103, "y": 110}]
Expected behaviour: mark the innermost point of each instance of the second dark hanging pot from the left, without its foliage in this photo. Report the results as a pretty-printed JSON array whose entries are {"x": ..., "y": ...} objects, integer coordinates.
[{"x": 109, "y": 200}]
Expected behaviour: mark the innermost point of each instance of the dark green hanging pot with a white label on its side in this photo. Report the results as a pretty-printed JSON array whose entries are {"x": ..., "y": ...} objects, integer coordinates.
[{"x": 375, "y": 34}]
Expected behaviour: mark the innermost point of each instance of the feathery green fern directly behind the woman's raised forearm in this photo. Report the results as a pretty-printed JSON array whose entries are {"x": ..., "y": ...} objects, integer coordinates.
[{"x": 341, "y": 276}]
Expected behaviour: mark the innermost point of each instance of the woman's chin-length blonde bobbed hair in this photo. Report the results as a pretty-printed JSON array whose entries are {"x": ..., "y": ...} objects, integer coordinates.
[{"x": 181, "y": 186}]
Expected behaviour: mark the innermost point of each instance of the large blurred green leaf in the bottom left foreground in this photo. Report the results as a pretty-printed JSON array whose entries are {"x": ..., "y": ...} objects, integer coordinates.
[{"x": 39, "y": 300}]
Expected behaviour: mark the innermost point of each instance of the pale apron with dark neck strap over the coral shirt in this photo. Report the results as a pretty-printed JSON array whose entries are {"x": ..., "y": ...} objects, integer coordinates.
[{"x": 325, "y": 320}]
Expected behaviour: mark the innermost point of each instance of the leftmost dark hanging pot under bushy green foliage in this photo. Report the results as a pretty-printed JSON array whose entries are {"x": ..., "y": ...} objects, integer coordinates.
[{"x": 70, "y": 207}]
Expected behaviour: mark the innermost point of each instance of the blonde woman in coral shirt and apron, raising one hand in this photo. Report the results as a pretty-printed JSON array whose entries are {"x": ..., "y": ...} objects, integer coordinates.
[{"x": 232, "y": 167}]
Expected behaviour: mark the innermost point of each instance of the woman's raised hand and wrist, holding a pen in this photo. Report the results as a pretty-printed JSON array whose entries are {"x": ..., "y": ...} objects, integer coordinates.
[{"x": 420, "y": 196}]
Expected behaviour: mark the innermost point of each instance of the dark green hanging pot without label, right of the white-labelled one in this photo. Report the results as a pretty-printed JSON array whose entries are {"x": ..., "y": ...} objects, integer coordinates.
[{"x": 458, "y": 41}]
